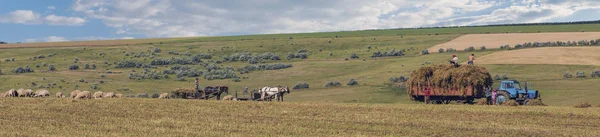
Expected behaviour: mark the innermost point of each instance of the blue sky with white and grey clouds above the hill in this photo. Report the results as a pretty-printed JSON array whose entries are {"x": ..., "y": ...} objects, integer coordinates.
[{"x": 77, "y": 20}]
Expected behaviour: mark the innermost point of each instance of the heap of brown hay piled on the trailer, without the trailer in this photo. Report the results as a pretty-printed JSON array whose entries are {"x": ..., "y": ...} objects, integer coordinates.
[{"x": 448, "y": 76}]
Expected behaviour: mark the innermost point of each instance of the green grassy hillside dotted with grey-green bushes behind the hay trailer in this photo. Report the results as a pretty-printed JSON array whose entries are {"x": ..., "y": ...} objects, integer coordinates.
[{"x": 372, "y": 74}]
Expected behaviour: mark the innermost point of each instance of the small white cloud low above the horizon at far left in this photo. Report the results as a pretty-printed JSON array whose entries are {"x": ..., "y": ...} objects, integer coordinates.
[{"x": 31, "y": 17}]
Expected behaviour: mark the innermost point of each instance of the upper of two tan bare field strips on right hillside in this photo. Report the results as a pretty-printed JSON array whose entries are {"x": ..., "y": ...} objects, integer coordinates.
[{"x": 496, "y": 40}]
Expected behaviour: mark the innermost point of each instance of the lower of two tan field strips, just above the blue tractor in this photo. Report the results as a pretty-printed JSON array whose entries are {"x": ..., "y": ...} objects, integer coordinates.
[{"x": 554, "y": 55}]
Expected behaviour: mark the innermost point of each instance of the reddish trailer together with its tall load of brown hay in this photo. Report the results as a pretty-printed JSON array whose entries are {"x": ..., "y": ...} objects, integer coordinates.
[{"x": 449, "y": 83}]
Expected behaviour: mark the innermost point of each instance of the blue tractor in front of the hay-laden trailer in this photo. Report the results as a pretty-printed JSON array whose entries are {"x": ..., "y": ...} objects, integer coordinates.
[{"x": 512, "y": 90}]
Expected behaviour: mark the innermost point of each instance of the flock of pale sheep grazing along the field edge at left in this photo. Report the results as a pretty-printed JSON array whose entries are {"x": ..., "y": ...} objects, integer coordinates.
[{"x": 74, "y": 94}]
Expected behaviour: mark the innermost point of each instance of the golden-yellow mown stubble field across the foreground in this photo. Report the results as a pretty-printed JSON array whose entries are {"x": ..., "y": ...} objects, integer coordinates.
[{"x": 152, "y": 117}]
